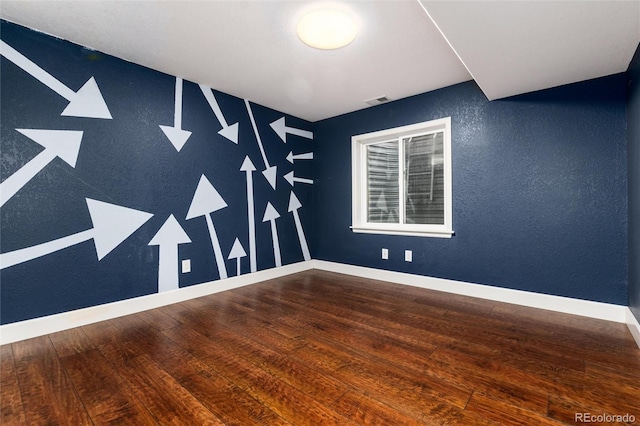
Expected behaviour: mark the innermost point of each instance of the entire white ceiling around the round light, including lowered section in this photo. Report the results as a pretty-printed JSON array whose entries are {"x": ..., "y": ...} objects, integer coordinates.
[{"x": 249, "y": 48}]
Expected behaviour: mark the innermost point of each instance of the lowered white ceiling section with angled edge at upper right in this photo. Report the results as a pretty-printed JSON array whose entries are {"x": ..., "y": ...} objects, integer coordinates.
[{"x": 514, "y": 47}]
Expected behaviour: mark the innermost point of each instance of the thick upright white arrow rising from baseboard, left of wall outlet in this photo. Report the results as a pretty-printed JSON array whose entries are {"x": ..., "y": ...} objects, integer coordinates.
[{"x": 168, "y": 237}]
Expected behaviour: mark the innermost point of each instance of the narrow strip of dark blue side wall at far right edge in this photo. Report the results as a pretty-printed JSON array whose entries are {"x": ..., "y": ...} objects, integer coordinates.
[{"x": 633, "y": 132}]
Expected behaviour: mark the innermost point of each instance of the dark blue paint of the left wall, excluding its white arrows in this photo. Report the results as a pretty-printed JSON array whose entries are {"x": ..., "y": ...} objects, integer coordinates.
[{"x": 128, "y": 161}]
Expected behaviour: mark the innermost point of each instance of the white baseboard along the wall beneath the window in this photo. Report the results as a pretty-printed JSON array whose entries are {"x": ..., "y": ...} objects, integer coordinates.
[{"x": 567, "y": 305}]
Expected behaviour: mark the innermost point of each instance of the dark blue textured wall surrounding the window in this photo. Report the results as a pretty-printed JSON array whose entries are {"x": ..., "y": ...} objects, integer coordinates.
[{"x": 539, "y": 190}]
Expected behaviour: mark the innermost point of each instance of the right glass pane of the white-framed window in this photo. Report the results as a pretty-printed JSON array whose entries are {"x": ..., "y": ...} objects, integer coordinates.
[{"x": 424, "y": 179}]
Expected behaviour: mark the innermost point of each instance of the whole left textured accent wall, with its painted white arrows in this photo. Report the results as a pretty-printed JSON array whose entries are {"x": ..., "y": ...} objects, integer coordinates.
[{"x": 98, "y": 252}]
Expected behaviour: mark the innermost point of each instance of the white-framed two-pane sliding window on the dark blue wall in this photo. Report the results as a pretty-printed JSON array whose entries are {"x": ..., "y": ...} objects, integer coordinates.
[{"x": 402, "y": 180}]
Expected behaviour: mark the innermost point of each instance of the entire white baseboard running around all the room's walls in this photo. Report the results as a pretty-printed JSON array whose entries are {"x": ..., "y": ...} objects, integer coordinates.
[{"x": 14, "y": 332}]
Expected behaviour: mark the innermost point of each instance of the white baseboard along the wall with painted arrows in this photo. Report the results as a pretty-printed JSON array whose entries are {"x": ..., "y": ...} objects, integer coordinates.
[{"x": 22, "y": 330}]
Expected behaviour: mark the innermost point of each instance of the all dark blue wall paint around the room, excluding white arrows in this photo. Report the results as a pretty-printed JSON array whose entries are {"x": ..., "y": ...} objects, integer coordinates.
[{"x": 539, "y": 184}]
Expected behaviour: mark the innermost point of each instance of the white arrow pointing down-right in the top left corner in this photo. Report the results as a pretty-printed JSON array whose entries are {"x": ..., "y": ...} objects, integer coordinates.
[{"x": 86, "y": 102}]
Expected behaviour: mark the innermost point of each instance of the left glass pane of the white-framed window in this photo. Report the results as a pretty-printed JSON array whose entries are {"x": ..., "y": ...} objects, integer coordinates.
[{"x": 383, "y": 194}]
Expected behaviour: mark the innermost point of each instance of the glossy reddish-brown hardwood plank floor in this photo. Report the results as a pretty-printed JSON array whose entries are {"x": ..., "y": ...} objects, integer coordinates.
[{"x": 319, "y": 348}]
